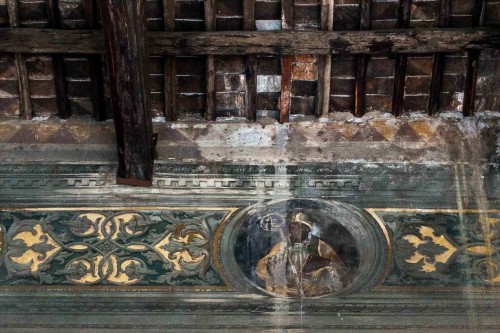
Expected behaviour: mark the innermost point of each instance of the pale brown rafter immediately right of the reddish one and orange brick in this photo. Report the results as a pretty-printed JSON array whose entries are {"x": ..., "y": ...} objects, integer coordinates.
[{"x": 325, "y": 62}]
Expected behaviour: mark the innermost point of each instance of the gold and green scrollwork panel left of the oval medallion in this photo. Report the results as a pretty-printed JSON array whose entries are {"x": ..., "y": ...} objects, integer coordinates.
[{"x": 125, "y": 248}]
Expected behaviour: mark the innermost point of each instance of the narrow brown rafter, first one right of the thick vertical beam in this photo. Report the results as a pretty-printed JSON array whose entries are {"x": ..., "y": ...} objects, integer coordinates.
[{"x": 169, "y": 64}]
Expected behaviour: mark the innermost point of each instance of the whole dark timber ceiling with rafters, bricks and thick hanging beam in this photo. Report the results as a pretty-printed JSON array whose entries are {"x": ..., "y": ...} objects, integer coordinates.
[{"x": 204, "y": 60}]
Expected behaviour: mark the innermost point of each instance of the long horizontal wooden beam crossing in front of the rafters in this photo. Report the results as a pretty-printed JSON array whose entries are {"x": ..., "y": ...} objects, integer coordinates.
[{"x": 15, "y": 40}]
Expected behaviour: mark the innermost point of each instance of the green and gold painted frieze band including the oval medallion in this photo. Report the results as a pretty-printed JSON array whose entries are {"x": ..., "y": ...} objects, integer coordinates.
[{"x": 293, "y": 248}]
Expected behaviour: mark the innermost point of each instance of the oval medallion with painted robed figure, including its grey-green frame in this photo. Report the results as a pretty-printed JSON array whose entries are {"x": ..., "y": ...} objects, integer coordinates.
[{"x": 304, "y": 248}]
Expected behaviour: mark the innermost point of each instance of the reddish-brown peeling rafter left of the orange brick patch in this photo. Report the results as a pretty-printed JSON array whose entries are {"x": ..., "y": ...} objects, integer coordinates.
[{"x": 286, "y": 64}]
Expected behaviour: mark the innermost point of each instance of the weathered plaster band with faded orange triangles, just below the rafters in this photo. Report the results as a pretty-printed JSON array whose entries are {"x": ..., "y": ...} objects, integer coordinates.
[{"x": 375, "y": 138}]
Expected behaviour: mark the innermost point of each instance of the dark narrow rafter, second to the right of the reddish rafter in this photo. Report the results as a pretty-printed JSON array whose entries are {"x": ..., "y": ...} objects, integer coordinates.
[{"x": 361, "y": 63}]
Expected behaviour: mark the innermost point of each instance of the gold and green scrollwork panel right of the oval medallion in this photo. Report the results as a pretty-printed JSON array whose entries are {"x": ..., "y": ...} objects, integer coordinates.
[{"x": 447, "y": 248}]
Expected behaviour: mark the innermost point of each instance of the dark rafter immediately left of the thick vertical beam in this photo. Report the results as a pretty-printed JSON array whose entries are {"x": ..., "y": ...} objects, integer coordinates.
[{"x": 91, "y": 12}]
